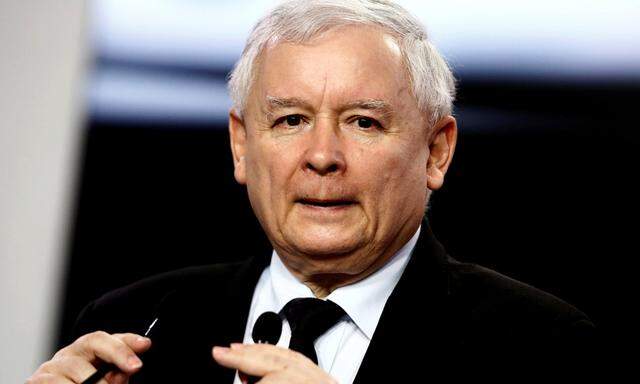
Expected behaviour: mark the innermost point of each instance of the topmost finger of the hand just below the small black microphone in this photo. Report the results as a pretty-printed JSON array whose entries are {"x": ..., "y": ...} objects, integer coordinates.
[{"x": 256, "y": 359}]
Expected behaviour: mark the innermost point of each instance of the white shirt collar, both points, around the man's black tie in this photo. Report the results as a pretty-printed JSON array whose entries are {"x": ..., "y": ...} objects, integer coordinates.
[{"x": 363, "y": 301}]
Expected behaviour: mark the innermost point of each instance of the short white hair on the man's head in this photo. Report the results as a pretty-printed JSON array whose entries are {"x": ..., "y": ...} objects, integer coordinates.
[{"x": 300, "y": 21}]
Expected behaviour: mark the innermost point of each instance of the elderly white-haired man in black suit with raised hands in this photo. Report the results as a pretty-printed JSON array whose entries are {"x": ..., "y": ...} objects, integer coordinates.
[{"x": 340, "y": 130}]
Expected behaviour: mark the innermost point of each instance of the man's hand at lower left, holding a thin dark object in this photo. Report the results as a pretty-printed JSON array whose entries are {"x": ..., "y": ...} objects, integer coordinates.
[{"x": 77, "y": 361}]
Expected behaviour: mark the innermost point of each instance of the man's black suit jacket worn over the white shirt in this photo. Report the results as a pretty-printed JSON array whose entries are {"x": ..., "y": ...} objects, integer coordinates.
[{"x": 444, "y": 317}]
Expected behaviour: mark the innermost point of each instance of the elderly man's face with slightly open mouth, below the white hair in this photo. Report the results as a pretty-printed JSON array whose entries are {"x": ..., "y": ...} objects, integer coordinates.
[{"x": 334, "y": 151}]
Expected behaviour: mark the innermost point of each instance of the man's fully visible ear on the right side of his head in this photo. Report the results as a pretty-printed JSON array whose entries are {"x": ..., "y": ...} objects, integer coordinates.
[{"x": 442, "y": 143}]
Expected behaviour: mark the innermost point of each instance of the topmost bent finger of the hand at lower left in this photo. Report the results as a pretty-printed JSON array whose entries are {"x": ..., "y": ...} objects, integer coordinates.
[{"x": 108, "y": 348}]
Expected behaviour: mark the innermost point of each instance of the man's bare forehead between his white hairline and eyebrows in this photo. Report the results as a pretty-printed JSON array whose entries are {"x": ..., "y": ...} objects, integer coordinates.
[{"x": 344, "y": 64}]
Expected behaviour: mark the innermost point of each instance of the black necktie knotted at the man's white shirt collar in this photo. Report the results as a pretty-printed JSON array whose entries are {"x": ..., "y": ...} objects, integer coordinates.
[{"x": 309, "y": 318}]
